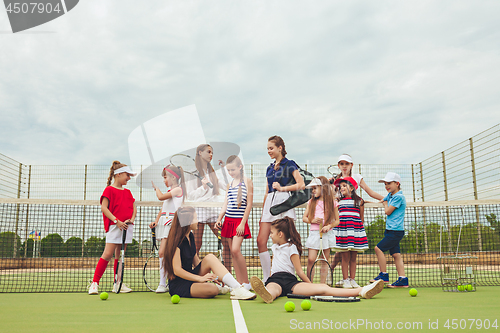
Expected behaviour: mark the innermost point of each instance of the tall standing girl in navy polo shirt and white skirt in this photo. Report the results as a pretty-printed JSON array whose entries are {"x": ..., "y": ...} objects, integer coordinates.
[{"x": 278, "y": 176}]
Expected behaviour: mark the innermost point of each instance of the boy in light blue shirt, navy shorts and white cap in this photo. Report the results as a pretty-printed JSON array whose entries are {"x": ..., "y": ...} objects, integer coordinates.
[{"x": 395, "y": 206}]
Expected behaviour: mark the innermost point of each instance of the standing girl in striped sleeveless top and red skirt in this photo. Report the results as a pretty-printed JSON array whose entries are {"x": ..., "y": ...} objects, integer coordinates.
[{"x": 235, "y": 211}]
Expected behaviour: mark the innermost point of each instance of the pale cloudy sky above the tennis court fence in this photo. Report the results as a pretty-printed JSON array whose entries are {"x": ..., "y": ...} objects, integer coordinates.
[{"x": 387, "y": 81}]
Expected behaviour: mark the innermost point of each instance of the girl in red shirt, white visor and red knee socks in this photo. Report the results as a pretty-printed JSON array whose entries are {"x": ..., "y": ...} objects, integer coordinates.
[{"x": 118, "y": 210}]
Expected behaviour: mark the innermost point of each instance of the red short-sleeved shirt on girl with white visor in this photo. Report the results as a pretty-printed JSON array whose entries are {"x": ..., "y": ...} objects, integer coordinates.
[{"x": 121, "y": 205}]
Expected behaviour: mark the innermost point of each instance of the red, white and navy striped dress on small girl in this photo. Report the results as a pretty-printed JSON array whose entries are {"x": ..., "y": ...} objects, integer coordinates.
[{"x": 350, "y": 233}]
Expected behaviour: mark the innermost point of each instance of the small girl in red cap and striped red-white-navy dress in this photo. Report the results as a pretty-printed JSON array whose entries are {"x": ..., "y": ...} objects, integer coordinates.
[{"x": 350, "y": 233}]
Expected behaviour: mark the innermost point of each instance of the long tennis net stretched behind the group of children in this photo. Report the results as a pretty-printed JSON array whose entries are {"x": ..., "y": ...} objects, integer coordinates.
[{"x": 54, "y": 245}]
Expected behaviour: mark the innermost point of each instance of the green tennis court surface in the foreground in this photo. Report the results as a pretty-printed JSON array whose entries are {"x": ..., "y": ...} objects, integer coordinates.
[{"x": 146, "y": 311}]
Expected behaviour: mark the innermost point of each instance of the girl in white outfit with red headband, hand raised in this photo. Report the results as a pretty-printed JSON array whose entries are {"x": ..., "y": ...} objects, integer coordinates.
[{"x": 172, "y": 200}]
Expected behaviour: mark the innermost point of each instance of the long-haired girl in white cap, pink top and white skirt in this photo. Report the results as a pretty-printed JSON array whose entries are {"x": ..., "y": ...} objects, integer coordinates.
[{"x": 322, "y": 214}]
